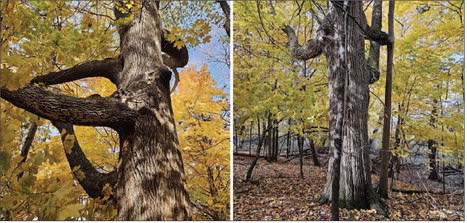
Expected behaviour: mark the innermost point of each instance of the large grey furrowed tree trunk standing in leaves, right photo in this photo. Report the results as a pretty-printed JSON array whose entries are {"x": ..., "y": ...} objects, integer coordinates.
[{"x": 349, "y": 130}]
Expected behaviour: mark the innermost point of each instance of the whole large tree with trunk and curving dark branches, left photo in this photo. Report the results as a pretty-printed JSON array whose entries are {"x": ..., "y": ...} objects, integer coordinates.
[{"x": 149, "y": 183}]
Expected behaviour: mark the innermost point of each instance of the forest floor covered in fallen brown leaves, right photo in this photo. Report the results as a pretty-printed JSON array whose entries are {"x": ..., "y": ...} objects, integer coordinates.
[{"x": 276, "y": 192}]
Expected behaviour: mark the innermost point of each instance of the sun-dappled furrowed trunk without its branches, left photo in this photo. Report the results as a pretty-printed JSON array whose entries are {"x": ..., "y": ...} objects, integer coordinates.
[{"x": 151, "y": 182}]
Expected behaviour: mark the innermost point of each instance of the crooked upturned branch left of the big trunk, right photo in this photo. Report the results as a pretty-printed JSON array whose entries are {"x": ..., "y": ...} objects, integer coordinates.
[{"x": 312, "y": 49}]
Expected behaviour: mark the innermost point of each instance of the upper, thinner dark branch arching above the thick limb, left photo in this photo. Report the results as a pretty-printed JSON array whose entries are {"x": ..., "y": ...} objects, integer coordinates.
[{"x": 108, "y": 68}]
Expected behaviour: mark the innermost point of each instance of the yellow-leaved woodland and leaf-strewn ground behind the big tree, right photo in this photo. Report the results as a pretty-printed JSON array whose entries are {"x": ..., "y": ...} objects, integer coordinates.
[{"x": 283, "y": 103}]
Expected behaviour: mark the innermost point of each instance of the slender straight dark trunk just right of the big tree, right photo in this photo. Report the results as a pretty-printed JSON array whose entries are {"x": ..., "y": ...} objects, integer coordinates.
[{"x": 385, "y": 153}]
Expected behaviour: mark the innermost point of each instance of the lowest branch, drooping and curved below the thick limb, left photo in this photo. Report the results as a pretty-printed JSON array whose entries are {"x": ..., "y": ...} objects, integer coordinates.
[{"x": 93, "y": 181}]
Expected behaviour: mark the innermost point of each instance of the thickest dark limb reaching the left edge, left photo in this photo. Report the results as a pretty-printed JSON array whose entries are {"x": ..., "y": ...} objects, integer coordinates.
[{"x": 91, "y": 111}]
